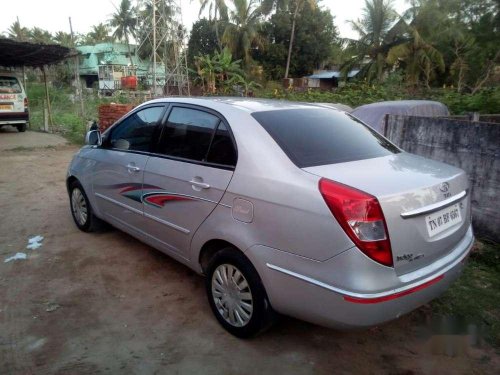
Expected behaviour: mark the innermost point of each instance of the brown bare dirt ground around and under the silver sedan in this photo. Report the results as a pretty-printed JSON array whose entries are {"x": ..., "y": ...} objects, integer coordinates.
[{"x": 106, "y": 303}]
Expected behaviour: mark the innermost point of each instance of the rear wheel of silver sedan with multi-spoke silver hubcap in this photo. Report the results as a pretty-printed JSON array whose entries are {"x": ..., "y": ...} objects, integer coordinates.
[{"x": 236, "y": 294}]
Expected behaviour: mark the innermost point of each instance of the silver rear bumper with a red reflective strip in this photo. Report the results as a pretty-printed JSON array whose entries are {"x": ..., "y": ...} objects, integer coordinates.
[{"x": 336, "y": 293}]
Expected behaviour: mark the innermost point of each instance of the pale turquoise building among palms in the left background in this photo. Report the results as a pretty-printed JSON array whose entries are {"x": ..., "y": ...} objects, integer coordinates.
[{"x": 107, "y": 63}]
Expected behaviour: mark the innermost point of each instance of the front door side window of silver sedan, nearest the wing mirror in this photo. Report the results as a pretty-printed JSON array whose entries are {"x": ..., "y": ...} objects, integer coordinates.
[{"x": 135, "y": 133}]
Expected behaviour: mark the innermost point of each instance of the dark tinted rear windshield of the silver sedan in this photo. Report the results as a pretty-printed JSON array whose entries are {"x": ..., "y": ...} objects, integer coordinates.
[{"x": 320, "y": 136}]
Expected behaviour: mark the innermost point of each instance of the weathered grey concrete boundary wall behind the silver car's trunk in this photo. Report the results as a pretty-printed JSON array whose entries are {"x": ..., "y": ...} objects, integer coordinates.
[{"x": 472, "y": 146}]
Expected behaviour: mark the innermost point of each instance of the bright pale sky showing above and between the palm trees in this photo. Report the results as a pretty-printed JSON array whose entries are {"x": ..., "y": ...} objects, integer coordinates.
[{"x": 52, "y": 15}]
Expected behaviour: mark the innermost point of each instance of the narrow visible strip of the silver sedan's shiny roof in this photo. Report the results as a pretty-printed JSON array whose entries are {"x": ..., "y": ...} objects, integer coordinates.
[{"x": 249, "y": 105}]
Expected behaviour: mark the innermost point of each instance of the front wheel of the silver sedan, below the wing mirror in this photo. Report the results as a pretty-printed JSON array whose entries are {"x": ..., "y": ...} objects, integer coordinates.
[{"x": 81, "y": 210}]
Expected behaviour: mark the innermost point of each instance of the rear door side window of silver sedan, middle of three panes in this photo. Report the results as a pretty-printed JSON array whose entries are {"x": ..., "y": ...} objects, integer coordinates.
[{"x": 188, "y": 133}]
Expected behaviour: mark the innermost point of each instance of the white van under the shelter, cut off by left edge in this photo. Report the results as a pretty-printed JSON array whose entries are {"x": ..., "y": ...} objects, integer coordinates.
[{"x": 13, "y": 102}]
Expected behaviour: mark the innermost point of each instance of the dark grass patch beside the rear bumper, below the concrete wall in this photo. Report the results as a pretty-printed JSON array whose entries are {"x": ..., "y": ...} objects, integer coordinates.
[{"x": 475, "y": 296}]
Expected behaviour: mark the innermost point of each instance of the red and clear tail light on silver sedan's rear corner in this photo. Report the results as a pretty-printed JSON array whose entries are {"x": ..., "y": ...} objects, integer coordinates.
[{"x": 361, "y": 217}]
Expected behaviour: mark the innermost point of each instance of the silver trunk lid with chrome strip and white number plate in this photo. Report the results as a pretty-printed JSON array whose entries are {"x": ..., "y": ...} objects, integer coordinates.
[{"x": 425, "y": 203}]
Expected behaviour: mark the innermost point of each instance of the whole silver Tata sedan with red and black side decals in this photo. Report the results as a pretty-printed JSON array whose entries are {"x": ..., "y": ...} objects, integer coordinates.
[{"x": 285, "y": 208}]
